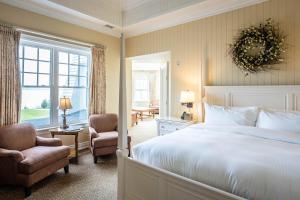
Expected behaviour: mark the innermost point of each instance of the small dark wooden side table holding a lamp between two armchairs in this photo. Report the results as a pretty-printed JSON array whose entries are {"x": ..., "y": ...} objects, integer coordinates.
[{"x": 70, "y": 131}]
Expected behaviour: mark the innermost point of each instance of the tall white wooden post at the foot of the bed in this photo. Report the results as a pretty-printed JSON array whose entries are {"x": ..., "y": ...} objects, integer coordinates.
[{"x": 122, "y": 151}]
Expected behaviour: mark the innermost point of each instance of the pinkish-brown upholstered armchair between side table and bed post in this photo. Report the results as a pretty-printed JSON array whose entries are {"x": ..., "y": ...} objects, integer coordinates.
[{"x": 103, "y": 134}]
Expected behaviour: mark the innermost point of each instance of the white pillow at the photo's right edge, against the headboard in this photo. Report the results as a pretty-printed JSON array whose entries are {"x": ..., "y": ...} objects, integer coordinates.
[{"x": 279, "y": 120}]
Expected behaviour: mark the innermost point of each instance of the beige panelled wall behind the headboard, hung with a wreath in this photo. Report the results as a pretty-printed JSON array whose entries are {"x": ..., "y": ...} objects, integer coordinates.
[{"x": 203, "y": 44}]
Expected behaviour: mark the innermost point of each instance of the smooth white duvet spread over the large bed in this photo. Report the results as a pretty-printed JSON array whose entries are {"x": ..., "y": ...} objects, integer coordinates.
[{"x": 250, "y": 162}]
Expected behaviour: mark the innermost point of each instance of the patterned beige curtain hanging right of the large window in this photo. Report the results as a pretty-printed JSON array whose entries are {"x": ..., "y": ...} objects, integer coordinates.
[{"x": 97, "y": 82}]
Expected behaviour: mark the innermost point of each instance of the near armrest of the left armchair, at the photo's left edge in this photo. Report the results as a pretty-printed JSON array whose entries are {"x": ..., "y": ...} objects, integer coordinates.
[{"x": 9, "y": 160}]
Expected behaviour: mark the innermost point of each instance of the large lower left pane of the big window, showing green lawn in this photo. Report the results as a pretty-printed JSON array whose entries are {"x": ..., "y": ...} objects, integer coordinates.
[{"x": 36, "y": 110}]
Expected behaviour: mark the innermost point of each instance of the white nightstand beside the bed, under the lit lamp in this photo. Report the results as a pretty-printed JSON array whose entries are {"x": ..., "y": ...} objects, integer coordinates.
[{"x": 166, "y": 125}]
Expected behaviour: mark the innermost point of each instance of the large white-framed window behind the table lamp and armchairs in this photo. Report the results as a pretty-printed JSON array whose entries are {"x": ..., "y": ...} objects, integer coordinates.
[{"x": 49, "y": 72}]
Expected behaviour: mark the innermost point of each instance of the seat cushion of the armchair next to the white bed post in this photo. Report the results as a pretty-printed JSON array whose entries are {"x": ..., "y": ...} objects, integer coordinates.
[{"x": 107, "y": 139}]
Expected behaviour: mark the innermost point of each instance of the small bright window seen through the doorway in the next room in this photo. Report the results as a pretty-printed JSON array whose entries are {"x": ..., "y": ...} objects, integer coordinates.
[{"x": 141, "y": 90}]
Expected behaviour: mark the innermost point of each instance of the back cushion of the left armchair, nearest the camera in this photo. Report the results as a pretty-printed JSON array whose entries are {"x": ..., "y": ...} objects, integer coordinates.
[{"x": 17, "y": 137}]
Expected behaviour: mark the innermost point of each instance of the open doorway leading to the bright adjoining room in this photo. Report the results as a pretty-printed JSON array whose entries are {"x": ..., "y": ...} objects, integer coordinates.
[{"x": 148, "y": 80}]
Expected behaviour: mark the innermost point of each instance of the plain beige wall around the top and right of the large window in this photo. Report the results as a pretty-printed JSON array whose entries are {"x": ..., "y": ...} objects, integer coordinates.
[{"x": 26, "y": 19}]
